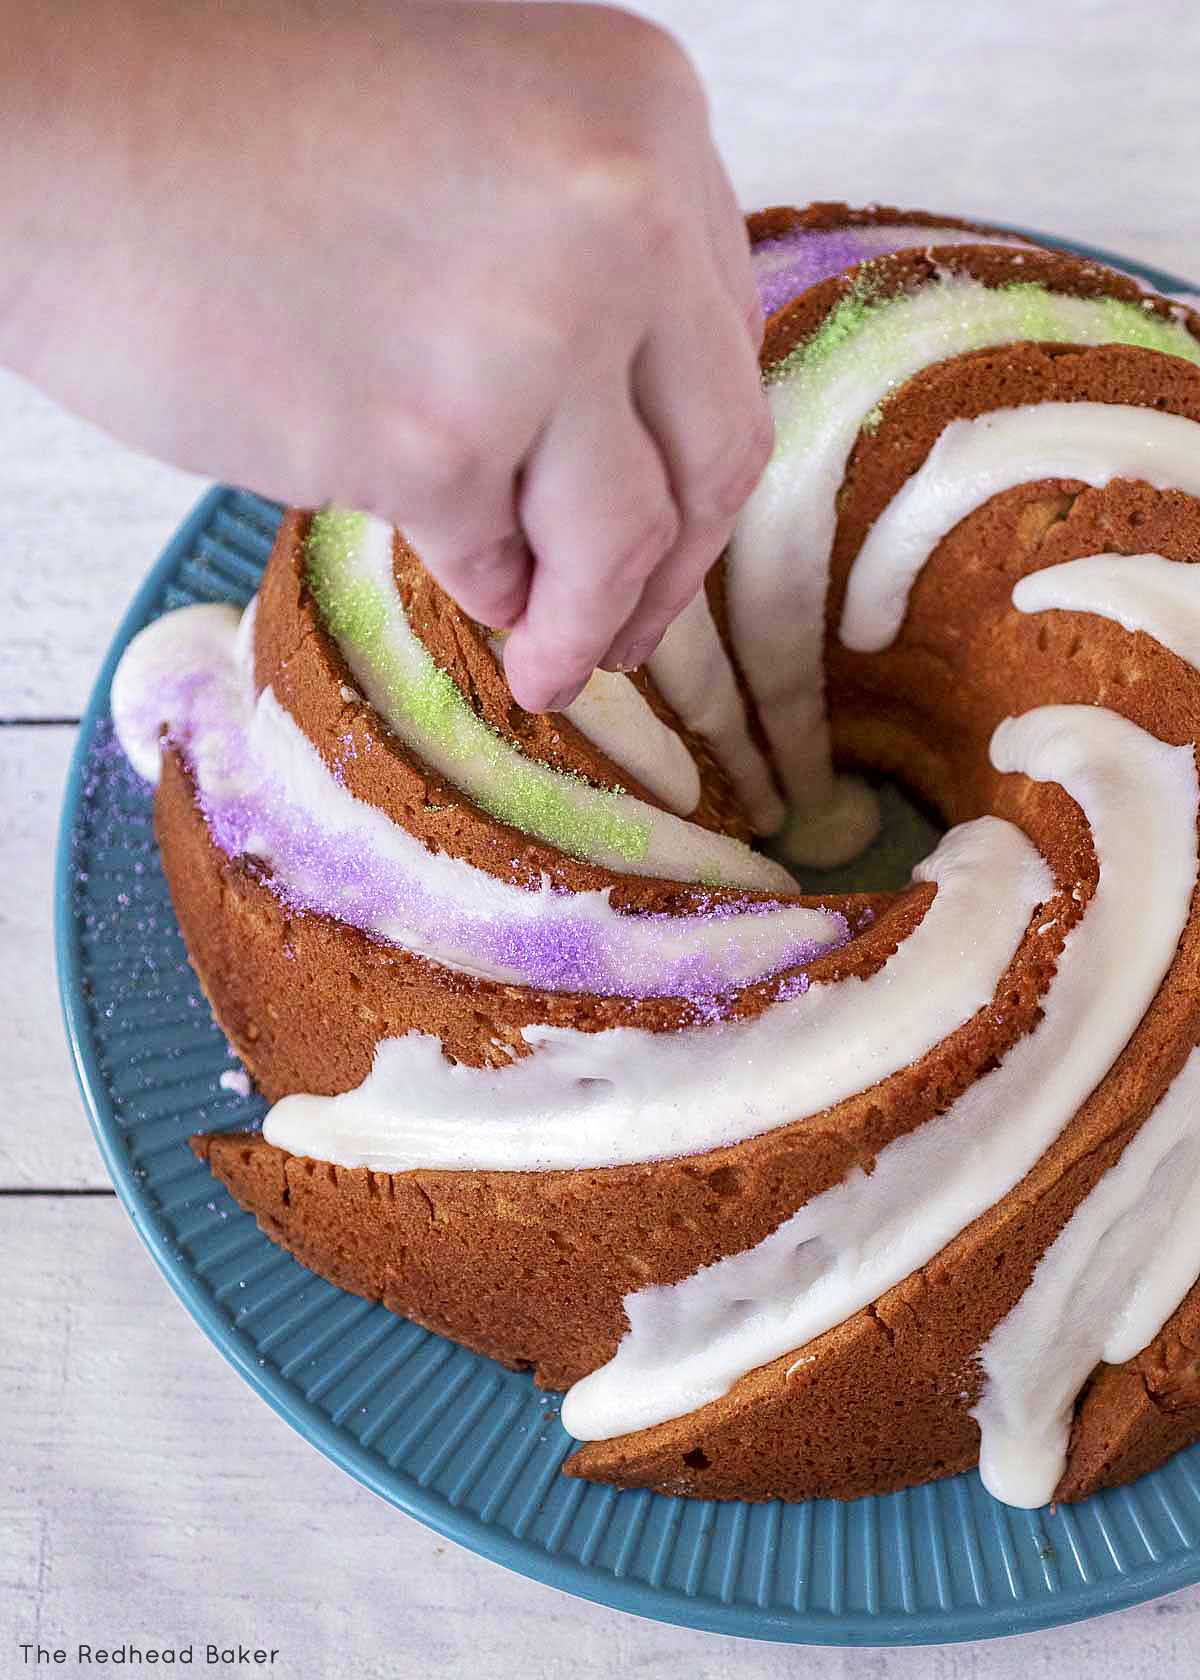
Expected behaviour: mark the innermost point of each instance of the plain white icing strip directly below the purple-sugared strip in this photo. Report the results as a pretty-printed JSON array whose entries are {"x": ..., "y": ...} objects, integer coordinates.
[{"x": 624, "y": 1095}]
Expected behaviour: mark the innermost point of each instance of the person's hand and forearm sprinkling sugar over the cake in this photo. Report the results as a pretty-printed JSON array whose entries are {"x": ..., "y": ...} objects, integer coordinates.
[{"x": 475, "y": 268}]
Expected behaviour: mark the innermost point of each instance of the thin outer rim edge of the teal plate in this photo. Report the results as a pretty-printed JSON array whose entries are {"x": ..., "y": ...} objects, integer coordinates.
[{"x": 396, "y": 1488}]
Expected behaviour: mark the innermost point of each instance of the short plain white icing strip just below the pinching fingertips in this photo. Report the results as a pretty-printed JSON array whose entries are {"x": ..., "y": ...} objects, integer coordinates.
[{"x": 614, "y": 715}]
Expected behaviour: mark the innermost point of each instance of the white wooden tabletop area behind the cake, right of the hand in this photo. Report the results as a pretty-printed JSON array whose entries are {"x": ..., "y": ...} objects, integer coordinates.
[{"x": 1065, "y": 115}]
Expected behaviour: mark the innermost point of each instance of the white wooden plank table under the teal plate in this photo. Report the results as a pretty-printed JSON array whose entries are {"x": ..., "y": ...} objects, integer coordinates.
[{"x": 145, "y": 1494}]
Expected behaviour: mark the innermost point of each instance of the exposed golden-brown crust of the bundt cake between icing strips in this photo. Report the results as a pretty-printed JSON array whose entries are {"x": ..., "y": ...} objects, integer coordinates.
[{"x": 532, "y": 1268}]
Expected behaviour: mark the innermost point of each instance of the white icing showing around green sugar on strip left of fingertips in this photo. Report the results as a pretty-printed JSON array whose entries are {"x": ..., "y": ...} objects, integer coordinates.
[{"x": 473, "y": 759}]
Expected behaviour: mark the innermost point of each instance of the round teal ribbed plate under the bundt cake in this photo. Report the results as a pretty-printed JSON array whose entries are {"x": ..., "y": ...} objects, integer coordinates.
[{"x": 445, "y": 1434}]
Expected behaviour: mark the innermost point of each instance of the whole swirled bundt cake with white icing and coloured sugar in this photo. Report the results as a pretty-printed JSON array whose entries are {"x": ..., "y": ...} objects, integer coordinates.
[{"x": 797, "y": 1192}]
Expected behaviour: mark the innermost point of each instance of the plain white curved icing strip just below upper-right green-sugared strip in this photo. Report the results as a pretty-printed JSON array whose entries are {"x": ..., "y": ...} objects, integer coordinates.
[{"x": 976, "y": 461}]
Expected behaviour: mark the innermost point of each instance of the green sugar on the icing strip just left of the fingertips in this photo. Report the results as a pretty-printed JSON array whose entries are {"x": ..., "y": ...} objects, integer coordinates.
[{"x": 426, "y": 706}]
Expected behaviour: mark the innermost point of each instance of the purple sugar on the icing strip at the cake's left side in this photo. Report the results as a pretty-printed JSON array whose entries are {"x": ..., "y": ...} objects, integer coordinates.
[{"x": 318, "y": 869}]
